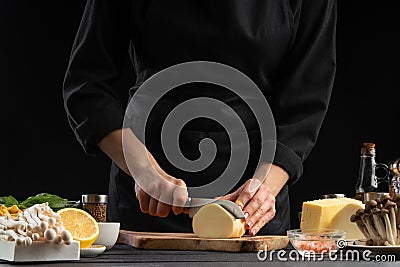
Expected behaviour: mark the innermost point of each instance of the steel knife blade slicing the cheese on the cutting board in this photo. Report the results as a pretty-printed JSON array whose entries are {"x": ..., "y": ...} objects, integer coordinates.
[{"x": 195, "y": 204}]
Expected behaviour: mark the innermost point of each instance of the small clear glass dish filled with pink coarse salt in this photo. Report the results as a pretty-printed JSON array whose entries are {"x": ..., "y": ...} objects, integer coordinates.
[{"x": 317, "y": 241}]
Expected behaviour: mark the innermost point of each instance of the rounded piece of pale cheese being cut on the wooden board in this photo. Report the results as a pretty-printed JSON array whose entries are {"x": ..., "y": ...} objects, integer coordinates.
[{"x": 213, "y": 221}]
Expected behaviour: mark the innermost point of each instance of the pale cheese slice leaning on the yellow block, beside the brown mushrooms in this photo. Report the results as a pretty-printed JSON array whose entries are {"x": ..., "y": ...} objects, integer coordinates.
[{"x": 342, "y": 221}]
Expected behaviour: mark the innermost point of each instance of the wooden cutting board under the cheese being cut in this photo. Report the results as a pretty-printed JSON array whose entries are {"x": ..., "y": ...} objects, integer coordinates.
[{"x": 187, "y": 241}]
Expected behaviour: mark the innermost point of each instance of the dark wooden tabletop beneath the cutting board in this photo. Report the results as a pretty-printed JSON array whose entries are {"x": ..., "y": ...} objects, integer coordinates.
[{"x": 124, "y": 255}]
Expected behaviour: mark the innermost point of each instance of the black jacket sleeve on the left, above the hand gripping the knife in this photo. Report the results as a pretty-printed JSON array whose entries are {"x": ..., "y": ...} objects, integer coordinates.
[{"x": 98, "y": 55}]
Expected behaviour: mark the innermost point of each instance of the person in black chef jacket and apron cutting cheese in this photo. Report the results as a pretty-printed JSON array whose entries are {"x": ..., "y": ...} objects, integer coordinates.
[{"x": 287, "y": 47}]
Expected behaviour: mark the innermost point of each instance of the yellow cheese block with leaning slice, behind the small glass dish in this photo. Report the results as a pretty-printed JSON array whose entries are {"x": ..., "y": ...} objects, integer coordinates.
[{"x": 332, "y": 213}]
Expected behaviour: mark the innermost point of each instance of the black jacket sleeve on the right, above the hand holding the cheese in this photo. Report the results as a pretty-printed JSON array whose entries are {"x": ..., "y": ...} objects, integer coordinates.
[{"x": 305, "y": 83}]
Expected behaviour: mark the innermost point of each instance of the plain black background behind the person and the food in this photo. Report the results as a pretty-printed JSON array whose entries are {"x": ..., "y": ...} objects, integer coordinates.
[{"x": 39, "y": 152}]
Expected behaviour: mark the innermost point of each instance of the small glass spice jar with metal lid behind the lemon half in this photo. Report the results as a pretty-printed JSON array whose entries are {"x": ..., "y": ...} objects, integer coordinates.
[{"x": 96, "y": 205}]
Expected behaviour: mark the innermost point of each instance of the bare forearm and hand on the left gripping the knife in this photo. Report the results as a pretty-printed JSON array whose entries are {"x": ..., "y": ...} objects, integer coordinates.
[{"x": 158, "y": 192}]
